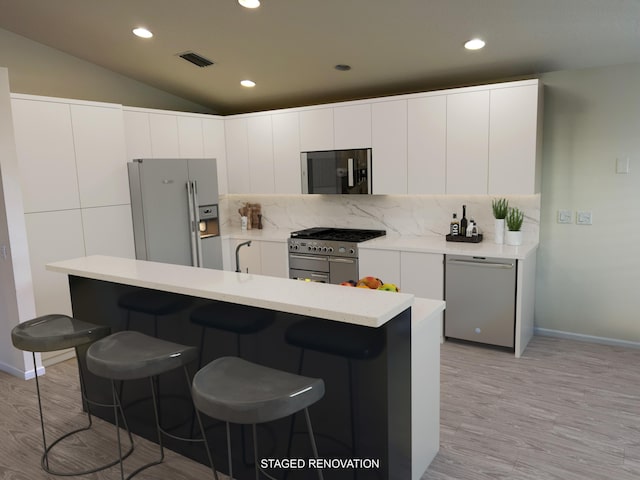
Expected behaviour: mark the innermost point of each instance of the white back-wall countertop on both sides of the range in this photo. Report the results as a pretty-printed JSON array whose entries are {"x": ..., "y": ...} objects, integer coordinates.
[{"x": 407, "y": 243}]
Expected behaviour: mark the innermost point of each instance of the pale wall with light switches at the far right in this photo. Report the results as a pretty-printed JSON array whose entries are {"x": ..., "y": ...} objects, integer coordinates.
[{"x": 588, "y": 276}]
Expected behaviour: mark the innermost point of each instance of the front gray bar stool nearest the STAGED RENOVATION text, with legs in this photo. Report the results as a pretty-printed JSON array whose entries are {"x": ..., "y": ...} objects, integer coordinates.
[{"x": 237, "y": 391}]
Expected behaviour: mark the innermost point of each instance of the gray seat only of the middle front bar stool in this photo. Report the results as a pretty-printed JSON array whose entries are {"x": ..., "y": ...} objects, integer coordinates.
[{"x": 130, "y": 355}]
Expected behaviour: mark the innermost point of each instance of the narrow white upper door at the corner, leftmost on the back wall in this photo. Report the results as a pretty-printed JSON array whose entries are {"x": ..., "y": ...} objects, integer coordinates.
[{"x": 237, "y": 155}]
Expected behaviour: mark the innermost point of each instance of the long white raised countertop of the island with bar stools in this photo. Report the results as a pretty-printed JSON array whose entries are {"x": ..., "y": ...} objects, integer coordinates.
[{"x": 359, "y": 306}]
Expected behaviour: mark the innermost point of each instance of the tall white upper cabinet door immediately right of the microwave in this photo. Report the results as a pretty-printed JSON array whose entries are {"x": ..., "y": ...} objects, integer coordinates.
[{"x": 389, "y": 156}]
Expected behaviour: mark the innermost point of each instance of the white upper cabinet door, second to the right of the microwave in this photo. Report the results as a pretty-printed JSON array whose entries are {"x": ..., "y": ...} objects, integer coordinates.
[{"x": 427, "y": 145}]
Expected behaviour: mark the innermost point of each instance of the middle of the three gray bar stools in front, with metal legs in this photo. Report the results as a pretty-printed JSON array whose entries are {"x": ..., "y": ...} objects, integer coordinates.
[{"x": 129, "y": 355}]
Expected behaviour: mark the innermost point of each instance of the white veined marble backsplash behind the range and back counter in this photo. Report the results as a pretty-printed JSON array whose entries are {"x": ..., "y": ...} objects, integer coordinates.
[{"x": 416, "y": 215}]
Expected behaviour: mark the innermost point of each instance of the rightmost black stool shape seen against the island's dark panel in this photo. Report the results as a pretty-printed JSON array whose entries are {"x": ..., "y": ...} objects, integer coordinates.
[{"x": 352, "y": 342}]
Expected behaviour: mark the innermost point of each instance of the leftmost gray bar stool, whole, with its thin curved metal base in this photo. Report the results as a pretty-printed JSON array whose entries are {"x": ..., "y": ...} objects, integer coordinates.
[{"x": 53, "y": 332}]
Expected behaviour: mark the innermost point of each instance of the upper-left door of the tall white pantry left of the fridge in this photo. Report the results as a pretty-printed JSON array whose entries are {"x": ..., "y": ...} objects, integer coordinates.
[{"x": 46, "y": 157}]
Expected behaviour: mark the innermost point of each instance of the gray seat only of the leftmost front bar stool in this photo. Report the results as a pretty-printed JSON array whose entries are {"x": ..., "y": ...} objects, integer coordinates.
[{"x": 55, "y": 332}]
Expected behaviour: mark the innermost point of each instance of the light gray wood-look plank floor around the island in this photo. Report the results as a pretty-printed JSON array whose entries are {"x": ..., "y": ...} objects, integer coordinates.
[{"x": 564, "y": 411}]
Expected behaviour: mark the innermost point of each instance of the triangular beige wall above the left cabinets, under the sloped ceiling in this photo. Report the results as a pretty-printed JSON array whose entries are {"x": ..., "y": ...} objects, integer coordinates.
[{"x": 40, "y": 70}]
